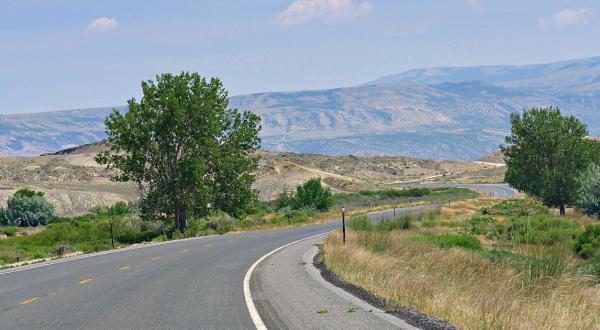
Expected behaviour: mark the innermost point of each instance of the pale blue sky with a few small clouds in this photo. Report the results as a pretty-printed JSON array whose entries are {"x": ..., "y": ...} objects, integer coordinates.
[{"x": 73, "y": 54}]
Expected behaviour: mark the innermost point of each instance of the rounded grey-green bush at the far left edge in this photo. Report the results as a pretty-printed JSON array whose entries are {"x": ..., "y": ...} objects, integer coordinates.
[{"x": 28, "y": 208}]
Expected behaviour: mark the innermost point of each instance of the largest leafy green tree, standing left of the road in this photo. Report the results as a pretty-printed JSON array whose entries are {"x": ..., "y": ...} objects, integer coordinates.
[{"x": 184, "y": 147}]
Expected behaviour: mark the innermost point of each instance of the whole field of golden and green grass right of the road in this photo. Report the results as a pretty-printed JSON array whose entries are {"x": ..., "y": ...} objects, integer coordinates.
[{"x": 479, "y": 264}]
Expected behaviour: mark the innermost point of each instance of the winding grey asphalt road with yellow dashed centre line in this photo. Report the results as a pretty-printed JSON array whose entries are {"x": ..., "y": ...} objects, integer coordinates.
[{"x": 193, "y": 283}]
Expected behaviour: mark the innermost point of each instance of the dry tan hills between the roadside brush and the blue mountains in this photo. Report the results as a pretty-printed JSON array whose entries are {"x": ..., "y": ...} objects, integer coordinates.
[{"x": 73, "y": 181}]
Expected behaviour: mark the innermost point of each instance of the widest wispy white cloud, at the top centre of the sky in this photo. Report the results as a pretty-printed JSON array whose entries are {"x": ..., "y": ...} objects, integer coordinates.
[{"x": 322, "y": 10}]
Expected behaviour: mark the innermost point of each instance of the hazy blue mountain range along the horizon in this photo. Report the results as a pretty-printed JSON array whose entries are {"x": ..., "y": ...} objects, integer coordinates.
[{"x": 444, "y": 112}]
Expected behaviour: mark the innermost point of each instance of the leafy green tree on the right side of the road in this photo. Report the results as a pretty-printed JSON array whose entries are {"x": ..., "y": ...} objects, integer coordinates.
[{"x": 545, "y": 153}]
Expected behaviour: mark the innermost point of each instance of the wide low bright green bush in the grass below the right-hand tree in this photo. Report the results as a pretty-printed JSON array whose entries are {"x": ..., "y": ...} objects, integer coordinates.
[{"x": 543, "y": 229}]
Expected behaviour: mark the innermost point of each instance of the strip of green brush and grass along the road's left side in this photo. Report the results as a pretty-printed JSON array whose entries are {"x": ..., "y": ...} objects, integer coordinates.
[{"x": 92, "y": 232}]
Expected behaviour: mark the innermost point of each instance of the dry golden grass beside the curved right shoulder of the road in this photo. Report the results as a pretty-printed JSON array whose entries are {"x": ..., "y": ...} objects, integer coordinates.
[{"x": 463, "y": 287}]
